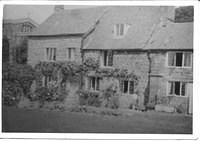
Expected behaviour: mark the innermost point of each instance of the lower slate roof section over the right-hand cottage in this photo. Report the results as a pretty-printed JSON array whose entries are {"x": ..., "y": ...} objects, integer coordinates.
[{"x": 173, "y": 36}]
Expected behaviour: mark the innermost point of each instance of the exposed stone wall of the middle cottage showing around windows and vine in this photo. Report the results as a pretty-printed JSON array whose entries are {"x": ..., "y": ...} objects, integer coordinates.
[{"x": 136, "y": 62}]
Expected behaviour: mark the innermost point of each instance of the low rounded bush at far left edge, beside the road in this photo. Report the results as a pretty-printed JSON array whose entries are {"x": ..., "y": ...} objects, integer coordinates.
[{"x": 11, "y": 92}]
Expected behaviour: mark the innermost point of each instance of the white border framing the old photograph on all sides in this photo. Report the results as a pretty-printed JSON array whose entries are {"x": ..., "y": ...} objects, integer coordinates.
[{"x": 83, "y": 136}]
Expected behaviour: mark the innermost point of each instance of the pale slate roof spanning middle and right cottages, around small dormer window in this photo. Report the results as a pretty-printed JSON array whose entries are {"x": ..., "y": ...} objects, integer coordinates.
[{"x": 143, "y": 21}]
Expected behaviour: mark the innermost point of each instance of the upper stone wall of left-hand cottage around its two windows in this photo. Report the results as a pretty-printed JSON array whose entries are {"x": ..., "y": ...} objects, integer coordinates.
[{"x": 37, "y": 47}]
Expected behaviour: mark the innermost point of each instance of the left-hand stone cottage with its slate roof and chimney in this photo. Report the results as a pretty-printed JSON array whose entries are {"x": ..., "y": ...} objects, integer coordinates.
[{"x": 59, "y": 38}]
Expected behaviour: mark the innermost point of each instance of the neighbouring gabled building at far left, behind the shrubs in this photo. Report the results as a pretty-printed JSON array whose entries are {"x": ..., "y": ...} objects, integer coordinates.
[{"x": 14, "y": 34}]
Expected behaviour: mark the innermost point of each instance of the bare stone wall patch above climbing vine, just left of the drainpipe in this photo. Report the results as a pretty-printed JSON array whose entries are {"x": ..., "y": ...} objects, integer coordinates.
[{"x": 136, "y": 62}]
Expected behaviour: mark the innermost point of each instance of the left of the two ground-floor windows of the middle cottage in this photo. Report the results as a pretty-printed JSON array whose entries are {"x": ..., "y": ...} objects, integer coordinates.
[{"x": 94, "y": 83}]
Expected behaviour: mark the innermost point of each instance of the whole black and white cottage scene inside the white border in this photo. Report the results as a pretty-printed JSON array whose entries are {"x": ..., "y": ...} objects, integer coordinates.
[{"x": 97, "y": 69}]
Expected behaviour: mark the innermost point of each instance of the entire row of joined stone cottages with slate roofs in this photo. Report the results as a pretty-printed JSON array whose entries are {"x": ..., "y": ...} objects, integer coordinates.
[{"x": 147, "y": 41}]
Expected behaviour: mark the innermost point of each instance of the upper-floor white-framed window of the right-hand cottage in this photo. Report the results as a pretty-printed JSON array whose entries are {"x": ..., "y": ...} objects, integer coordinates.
[{"x": 180, "y": 59}]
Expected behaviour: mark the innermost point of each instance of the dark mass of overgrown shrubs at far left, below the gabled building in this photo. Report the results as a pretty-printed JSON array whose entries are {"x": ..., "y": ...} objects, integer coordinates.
[{"x": 17, "y": 80}]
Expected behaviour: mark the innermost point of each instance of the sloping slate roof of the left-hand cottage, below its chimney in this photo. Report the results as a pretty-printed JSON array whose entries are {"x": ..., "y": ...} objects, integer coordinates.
[{"x": 76, "y": 21}]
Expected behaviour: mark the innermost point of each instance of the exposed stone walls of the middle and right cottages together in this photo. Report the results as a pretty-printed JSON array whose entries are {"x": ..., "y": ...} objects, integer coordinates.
[{"x": 159, "y": 77}]
